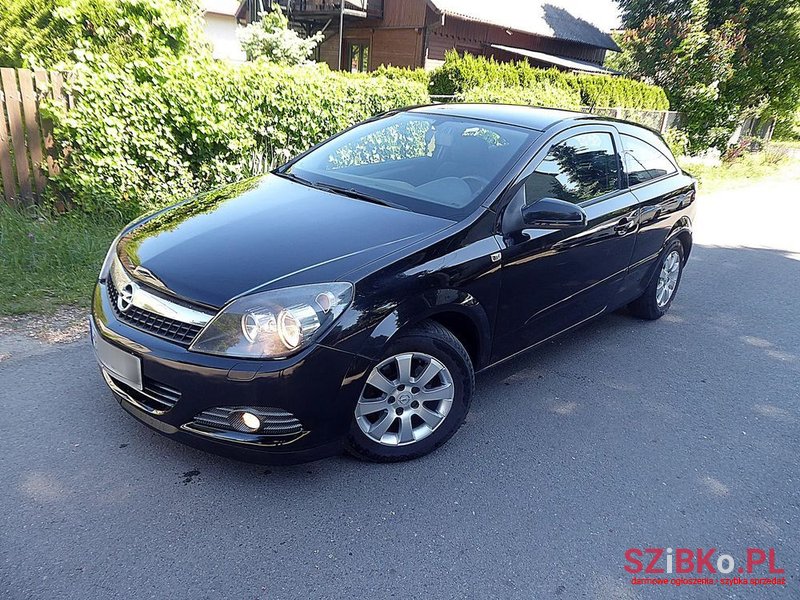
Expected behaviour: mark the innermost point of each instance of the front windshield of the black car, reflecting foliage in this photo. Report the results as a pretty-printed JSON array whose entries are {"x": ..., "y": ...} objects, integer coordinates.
[{"x": 441, "y": 166}]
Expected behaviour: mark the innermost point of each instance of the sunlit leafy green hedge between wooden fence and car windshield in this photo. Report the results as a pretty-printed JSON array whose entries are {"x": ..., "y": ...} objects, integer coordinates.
[{"x": 144, "y": 135}]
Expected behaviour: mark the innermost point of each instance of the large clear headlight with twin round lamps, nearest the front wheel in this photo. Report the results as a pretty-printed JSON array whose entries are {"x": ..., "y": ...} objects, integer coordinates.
[{"x": 276, "y": 323}]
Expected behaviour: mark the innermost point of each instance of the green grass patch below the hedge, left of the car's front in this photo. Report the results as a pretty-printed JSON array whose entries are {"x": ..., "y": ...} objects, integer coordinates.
[{"x": 46, "y": 263}]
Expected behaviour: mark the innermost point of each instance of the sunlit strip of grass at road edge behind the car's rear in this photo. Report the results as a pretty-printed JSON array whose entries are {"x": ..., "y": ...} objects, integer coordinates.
[{"x": 739, "y": 172}]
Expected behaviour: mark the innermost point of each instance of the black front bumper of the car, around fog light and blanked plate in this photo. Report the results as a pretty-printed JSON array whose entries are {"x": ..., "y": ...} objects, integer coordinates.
[{"x": 319, "y": 387}]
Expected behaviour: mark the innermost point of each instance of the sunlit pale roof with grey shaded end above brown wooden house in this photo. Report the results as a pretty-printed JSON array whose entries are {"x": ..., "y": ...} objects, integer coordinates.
[{"x": 559, "y": 19}]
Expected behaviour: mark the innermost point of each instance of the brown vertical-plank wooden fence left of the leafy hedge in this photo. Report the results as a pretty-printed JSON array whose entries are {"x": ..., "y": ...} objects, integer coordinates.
[{"x": 27, "y": 148}]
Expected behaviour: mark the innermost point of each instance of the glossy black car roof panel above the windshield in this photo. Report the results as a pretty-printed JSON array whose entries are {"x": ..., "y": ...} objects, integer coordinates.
[{"x": 530, "y": 117}]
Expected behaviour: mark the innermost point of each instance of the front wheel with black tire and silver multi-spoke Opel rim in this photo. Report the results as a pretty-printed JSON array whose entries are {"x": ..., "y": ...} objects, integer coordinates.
[{"x": 388, "y": 423}]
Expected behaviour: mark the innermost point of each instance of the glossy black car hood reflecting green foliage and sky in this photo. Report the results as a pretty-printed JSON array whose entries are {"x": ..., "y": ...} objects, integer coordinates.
[{"x": 267, "y": 232}]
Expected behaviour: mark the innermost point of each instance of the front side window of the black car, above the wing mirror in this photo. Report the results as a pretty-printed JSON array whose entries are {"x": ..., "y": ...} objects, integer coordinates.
[{"x": 578, "y": 169}]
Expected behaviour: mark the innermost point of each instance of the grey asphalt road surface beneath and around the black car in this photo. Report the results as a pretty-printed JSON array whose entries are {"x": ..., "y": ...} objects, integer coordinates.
[{"x": 678, "y": 433}]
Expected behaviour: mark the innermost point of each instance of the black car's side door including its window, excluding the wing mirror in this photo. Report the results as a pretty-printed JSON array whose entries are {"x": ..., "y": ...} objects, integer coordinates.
[{"x": 554, "y": 278}]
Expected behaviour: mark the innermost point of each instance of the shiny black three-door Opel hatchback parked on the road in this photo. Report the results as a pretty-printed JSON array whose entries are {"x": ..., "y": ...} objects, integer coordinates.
[{"x": 347, "y": 299}]
